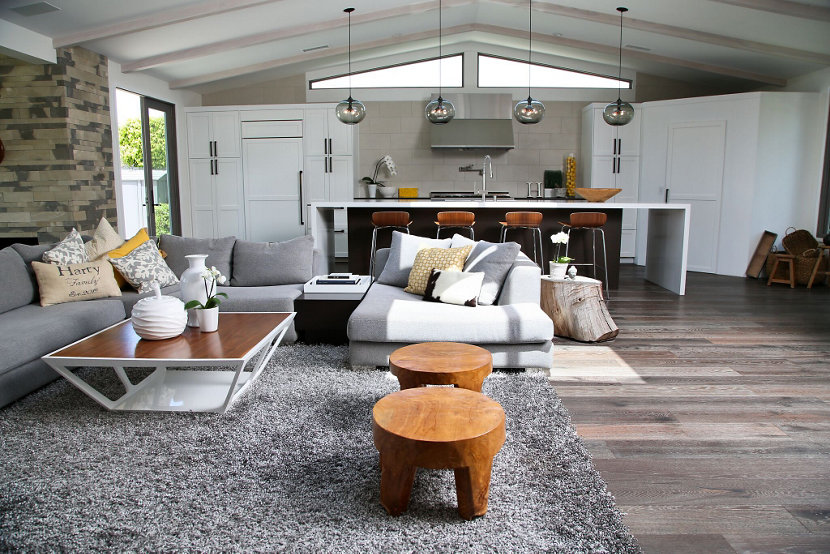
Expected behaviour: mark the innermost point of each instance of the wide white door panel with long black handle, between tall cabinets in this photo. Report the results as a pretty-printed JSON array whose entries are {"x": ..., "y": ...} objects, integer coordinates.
[{"x": 273, "y": 188}]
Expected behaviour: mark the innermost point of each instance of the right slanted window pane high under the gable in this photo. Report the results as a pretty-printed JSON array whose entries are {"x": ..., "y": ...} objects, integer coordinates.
[{"x": 502, "y": 72}]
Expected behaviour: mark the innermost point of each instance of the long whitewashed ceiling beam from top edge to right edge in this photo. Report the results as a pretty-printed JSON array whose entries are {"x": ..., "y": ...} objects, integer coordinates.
[{"x": 682, "y": 32}]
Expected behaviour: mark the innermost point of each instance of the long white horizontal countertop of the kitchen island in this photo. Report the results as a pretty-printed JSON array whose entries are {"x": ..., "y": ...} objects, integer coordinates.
[{"x": 501, "y": 204}]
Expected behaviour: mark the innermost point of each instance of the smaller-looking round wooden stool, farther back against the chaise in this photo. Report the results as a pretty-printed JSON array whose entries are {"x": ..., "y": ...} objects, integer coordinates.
[{"x": 441, "y": 363}]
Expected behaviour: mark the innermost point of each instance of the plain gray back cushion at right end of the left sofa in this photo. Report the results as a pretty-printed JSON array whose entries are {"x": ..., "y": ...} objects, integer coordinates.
[{"x": 257, "y": 264}]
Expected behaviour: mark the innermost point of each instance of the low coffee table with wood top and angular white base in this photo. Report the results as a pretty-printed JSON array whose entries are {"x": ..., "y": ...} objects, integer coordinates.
[{"x": 241, "y": 338}]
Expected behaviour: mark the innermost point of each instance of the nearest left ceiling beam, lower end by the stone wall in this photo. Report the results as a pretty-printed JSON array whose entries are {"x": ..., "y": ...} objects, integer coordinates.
[{"x": 157, "y": 19}]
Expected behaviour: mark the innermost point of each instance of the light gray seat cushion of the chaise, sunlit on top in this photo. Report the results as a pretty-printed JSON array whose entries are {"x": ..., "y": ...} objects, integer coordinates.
[{"x": 388, "y": 314}]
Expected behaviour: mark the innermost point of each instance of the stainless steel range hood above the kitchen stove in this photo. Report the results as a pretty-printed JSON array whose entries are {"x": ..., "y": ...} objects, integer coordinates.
[{"x": 481, "y": 121}]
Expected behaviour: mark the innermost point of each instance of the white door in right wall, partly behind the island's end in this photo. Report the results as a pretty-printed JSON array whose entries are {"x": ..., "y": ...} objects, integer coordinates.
[{"x": 694, "y": 175}]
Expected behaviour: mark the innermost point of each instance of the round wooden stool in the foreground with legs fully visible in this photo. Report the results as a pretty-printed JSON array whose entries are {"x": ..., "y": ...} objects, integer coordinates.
[{"x": 437, "y": 428}]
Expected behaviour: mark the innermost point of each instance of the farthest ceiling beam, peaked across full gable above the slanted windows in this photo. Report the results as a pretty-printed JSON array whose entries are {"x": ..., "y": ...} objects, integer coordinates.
[{"x": 491, "y": 29}]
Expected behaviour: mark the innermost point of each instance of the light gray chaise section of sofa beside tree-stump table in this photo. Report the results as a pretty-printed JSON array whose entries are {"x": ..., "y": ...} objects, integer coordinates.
[{"x": 514, "y": 329}]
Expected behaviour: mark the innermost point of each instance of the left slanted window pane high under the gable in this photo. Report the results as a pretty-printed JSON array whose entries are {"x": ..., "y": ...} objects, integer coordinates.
[{"x": 410, "y": 75}]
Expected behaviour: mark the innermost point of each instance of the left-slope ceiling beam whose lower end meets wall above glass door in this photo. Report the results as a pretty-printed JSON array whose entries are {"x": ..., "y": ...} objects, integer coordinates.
[{"x": 282, "y": 34}]
